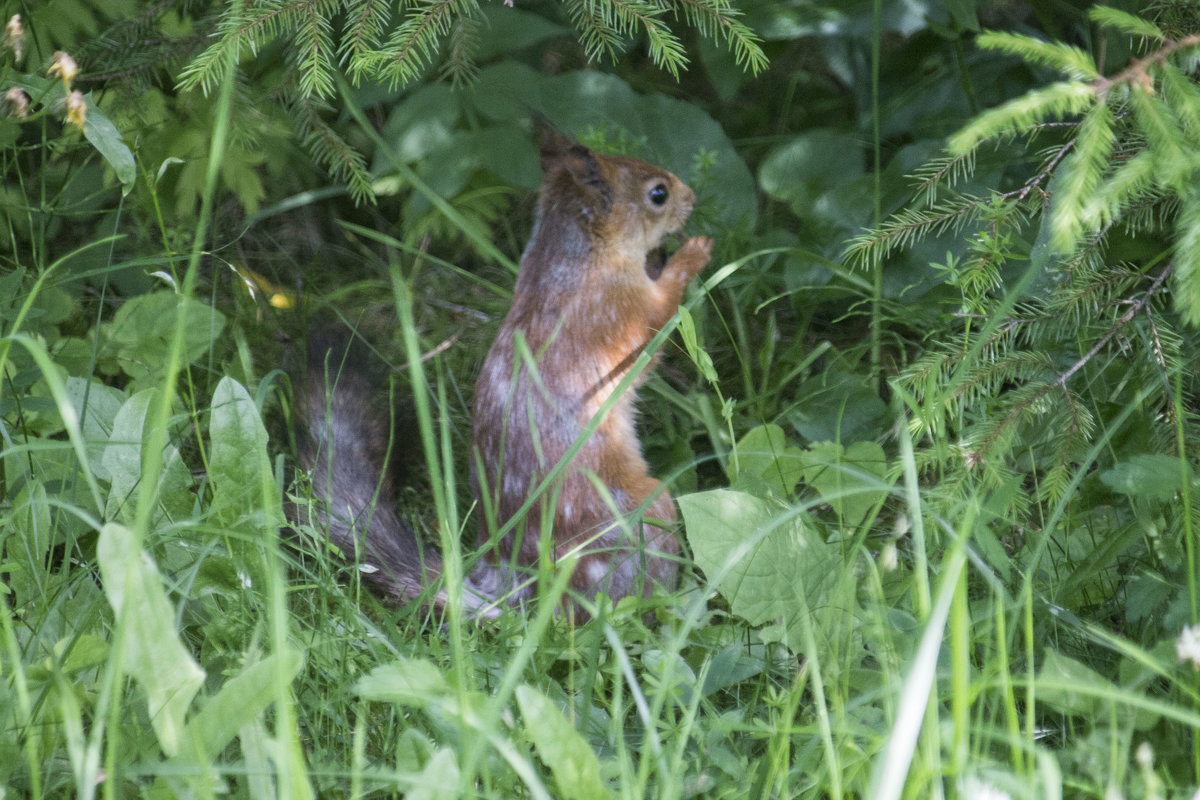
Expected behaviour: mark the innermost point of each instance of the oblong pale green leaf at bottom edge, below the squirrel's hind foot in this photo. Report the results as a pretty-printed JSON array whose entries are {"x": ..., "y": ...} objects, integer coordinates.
[{"x": 574, "y": 763}]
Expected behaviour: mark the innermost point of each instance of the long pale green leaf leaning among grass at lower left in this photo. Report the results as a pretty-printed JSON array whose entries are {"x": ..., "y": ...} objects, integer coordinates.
[{"x": 153, "y": 653}]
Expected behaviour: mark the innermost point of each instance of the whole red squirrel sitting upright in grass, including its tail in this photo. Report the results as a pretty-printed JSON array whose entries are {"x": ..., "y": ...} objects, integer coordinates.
[{"x": 590, "y": 296}]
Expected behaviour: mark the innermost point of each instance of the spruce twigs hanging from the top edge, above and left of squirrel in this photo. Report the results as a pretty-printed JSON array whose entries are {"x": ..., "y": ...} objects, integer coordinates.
[{"x": 398, "y": 49}]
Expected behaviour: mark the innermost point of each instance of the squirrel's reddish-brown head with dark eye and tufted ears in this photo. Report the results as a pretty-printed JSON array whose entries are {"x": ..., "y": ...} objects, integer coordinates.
[{"x": 616, "y": 199}]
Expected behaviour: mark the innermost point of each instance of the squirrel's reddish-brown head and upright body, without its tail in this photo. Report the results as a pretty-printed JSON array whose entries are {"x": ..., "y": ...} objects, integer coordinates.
[{"x": 585, "y": 306}]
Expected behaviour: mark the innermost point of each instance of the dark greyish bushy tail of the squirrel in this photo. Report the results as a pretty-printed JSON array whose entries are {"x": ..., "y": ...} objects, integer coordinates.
[{"x": 344, "y": 440}]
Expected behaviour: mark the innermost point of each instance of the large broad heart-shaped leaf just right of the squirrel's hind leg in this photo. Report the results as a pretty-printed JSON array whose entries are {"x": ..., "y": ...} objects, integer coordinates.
[{"x": 767, "y": 567}]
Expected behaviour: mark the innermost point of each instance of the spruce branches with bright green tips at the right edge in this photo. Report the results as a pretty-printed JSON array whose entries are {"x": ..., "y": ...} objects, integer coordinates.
[{"x": 1016, "y": 387}]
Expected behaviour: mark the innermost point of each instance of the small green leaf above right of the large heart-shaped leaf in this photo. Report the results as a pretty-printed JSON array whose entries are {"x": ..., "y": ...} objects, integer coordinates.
[{"x": 850, "y": 479}]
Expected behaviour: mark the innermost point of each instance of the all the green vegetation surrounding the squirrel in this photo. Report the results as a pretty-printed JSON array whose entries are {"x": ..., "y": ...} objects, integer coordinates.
[{"x": 932, "y": 418}]
